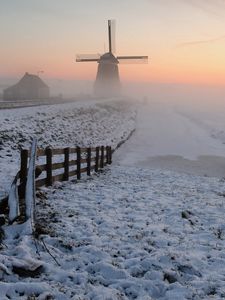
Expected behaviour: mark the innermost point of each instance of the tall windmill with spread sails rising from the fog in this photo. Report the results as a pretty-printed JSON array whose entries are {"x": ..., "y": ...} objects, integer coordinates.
[{"x": 107, "y": 81}]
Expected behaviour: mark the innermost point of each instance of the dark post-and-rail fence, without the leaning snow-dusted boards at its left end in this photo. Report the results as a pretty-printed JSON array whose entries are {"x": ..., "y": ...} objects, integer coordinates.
[{"x": 69, "y": 162}]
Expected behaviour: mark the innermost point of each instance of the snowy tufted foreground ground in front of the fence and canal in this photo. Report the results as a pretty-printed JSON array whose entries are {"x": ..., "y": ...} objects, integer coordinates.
[{"x": 127, "y": 233}]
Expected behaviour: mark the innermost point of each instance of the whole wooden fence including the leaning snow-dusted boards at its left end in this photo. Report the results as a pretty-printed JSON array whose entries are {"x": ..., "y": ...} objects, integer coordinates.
[{"x": 66, "y": 162}]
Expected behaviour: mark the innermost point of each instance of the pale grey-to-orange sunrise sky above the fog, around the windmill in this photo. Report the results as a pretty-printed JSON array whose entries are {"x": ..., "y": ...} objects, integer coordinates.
[{"x": 184, "y": 39}]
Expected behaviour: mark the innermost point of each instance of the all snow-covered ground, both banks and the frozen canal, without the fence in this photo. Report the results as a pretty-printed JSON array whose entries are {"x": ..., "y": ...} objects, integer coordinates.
[{"x": 129, "y": 232}]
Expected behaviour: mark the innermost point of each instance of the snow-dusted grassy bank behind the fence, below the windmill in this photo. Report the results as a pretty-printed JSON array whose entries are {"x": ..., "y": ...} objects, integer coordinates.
[{"x": 84, "y": 123}]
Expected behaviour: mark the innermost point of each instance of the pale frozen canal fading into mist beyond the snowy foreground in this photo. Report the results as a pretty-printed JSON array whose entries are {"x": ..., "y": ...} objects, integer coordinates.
[{"x": 178, "y": 136}]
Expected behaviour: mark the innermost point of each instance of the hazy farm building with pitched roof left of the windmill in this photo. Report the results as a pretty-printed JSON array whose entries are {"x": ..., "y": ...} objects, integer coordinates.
[{"x": 29, "y": 87}]
